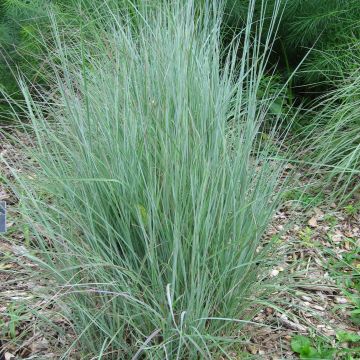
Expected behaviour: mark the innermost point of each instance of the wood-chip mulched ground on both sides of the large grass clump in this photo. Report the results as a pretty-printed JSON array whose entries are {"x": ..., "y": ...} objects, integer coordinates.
[{"x": 315, "y": 239}]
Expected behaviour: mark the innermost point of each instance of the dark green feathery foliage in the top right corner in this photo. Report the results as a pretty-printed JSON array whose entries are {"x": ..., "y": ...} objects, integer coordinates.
[{"x": 330, "y": 27}]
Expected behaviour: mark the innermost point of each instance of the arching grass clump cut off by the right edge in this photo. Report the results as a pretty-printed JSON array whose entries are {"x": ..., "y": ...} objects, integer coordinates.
[{"x": 333, "y": 141}]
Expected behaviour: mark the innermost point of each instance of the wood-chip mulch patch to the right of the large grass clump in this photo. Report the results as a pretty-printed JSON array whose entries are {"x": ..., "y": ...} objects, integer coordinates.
[{"x": 316, "y": 240}]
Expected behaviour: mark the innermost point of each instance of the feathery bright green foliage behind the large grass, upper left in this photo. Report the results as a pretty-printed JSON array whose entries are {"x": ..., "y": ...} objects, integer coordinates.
[{"x": 25, "y": 33}]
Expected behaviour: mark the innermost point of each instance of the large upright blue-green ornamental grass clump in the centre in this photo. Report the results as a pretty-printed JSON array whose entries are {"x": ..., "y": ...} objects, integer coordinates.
[{"x": 151, "y": 191}]
